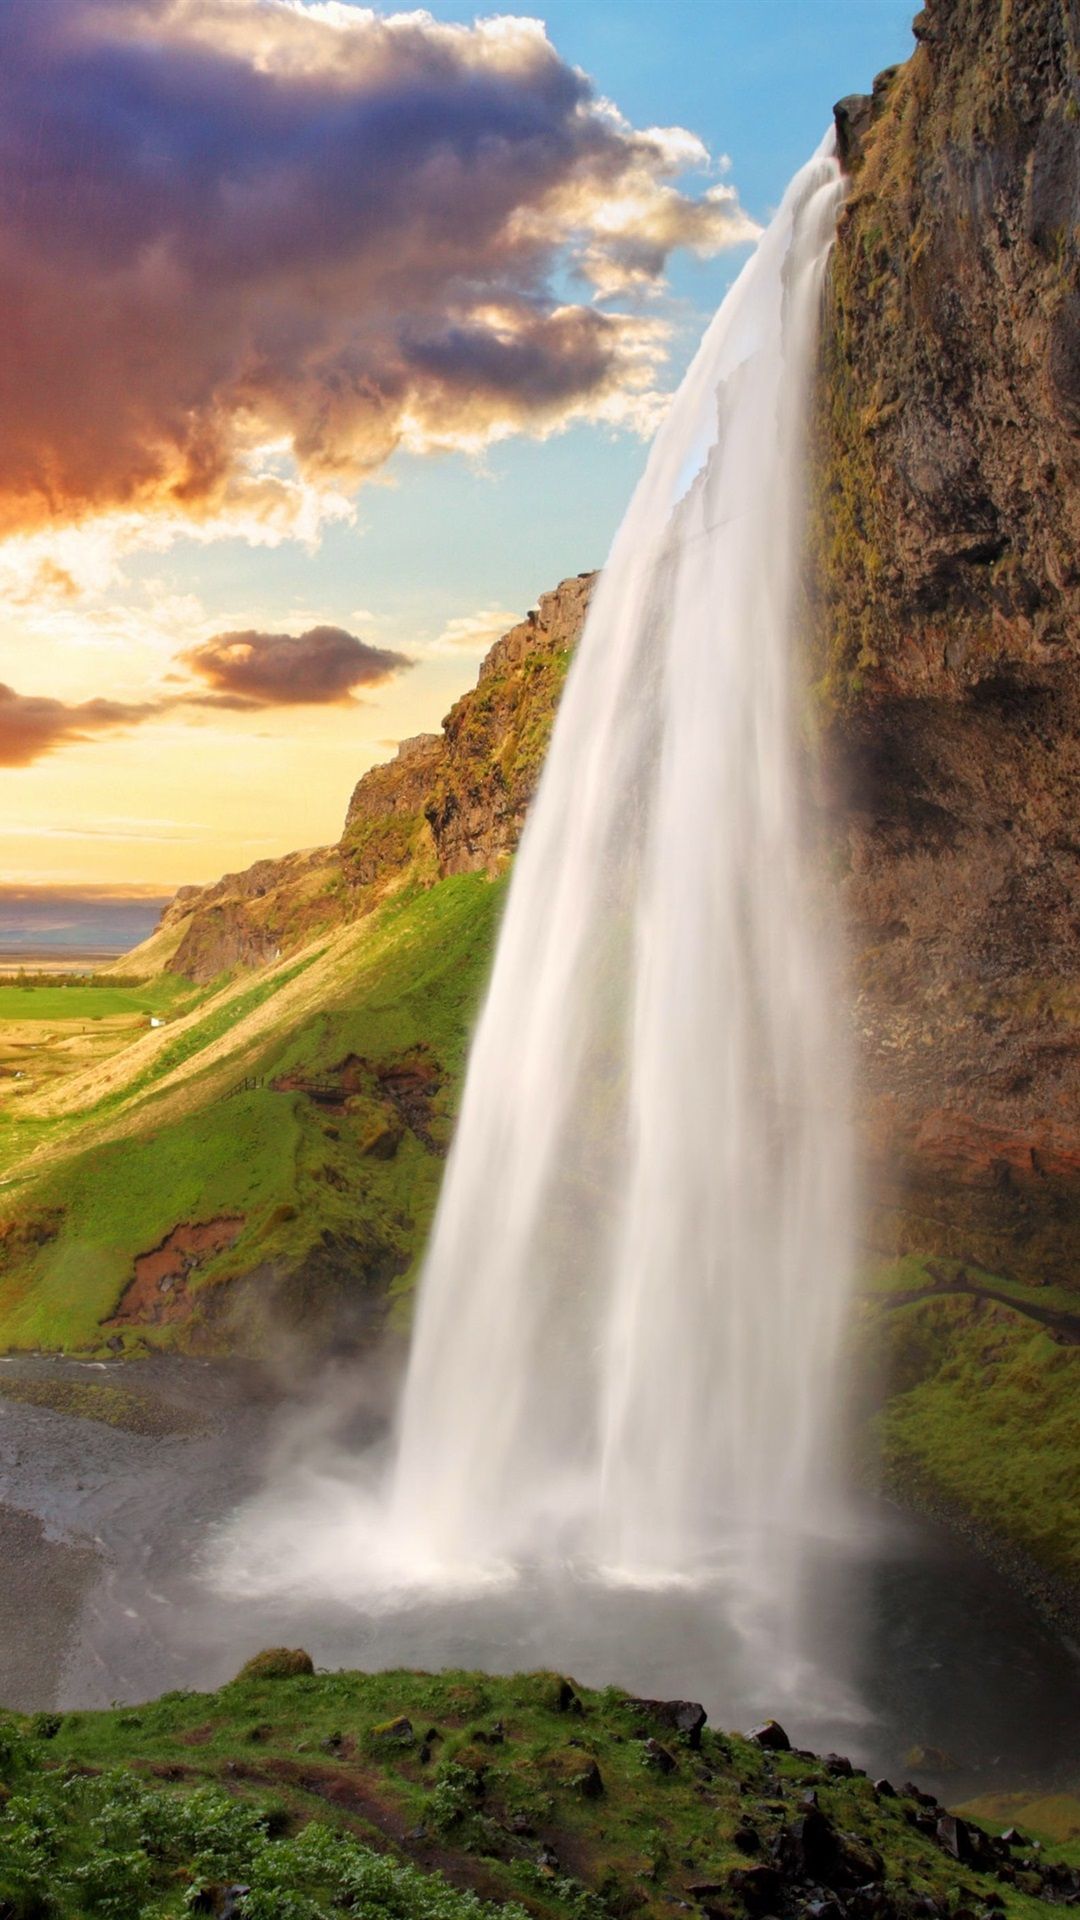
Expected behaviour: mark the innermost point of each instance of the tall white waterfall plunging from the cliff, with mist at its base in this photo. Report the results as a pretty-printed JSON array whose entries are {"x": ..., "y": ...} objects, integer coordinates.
[{"x": 618, "y": 1447}]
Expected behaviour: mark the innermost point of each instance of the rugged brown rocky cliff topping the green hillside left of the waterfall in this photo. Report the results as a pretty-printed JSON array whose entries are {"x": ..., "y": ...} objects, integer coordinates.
[{"x": 447, "y": 804}]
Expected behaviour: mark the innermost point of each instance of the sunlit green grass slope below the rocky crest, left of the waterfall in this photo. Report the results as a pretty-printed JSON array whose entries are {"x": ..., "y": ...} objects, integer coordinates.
[{"x": 239, "y": 1111}]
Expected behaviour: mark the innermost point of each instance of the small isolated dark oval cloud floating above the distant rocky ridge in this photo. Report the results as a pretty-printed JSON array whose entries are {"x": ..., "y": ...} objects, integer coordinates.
[{"x": 316, "y": 669}]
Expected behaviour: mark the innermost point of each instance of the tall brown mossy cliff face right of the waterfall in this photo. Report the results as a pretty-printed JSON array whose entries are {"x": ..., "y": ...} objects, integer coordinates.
[{"x": 948, "y": 577}]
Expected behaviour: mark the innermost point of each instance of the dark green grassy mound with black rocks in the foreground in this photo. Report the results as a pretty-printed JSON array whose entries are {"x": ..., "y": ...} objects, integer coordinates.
[{"x": 412, "y": 1796}]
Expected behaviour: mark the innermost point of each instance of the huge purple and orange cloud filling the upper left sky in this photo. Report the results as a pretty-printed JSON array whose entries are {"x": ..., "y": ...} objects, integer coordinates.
[{"x": 253, "y": 247}]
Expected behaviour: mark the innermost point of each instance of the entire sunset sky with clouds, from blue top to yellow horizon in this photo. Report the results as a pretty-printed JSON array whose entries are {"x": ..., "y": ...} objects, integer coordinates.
[{"x": 333, "y": 337}]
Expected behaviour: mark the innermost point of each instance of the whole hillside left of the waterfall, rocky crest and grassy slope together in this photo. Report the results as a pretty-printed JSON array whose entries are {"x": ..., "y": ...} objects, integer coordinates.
[{"x": 283, "y": 1130}]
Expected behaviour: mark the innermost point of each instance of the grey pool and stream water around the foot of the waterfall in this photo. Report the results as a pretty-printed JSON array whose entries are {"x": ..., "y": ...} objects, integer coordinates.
[{"x": 921, "y": 1644}]
